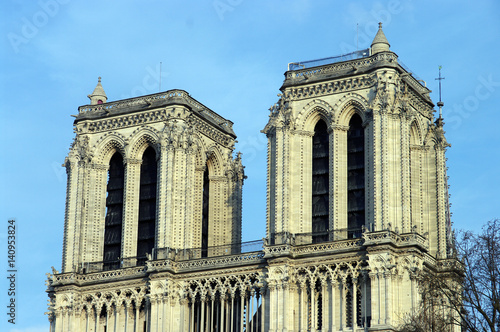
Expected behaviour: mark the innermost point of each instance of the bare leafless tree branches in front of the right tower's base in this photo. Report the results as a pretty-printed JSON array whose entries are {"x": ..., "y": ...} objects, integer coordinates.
[{"x": 467, "y": 295}]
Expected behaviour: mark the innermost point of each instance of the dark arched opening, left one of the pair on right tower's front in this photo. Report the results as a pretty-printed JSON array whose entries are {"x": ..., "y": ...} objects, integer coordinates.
[{"x": 320, "y": 183}]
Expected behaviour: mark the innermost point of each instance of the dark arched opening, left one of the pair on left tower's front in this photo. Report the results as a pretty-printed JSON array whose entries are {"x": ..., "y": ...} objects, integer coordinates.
[{"x": 114, "y": 213}]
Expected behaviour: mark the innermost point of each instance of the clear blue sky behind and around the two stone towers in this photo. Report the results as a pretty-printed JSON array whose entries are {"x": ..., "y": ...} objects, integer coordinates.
[{"x": 230, "y": 55}]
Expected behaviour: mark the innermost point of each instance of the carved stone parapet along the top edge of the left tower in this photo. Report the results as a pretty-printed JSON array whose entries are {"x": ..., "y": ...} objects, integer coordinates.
[{"x": 170, "y": 95}]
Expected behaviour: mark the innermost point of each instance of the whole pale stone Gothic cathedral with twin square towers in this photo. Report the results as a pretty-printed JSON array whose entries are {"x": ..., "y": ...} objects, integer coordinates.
[{"x": 357, "y": 205}]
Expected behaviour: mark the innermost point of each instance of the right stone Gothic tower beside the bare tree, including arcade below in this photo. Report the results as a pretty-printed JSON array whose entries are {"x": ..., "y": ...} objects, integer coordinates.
[{"x": 357, "y": 192}]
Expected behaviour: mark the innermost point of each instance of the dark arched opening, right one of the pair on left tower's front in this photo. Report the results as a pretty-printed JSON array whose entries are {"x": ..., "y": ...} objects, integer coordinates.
[{"x": 147, "y": 205}]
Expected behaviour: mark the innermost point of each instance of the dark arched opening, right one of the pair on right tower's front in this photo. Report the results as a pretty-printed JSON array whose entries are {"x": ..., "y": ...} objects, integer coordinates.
[{"x": 355, "y": 177}]
